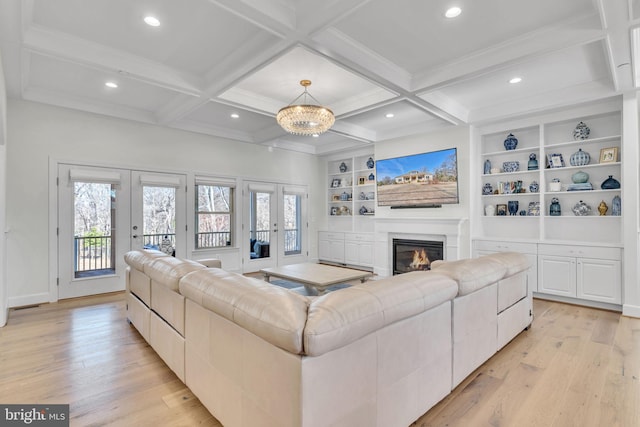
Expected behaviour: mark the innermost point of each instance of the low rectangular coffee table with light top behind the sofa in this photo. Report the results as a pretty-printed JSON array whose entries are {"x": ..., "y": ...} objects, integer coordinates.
[{"x": 316, "y": 277}]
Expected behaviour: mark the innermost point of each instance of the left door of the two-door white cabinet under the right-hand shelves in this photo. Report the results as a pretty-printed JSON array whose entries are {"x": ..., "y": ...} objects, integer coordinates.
[{"x": 557, "y": 275}]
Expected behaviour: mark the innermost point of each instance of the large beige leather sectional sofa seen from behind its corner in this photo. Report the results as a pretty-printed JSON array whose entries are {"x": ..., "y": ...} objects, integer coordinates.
[{"x": 379, "y": 353}]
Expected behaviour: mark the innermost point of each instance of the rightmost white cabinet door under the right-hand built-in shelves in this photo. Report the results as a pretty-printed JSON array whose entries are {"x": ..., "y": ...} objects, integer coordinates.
[{"x": 599, "y": 280}]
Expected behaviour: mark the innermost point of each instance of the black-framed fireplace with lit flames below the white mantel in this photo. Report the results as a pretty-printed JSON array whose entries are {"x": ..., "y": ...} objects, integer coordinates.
[{"x": 415, "y": 255}]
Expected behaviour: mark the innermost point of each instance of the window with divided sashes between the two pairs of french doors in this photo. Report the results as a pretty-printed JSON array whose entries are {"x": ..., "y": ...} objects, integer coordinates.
[{"x": 214, "y": 215}]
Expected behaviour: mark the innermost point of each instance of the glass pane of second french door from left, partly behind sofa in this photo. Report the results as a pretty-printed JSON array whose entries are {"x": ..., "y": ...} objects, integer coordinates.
[{"x": 159, "y": 218}]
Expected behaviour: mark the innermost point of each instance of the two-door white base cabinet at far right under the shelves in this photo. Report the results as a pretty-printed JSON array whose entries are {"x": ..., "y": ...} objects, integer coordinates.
[{"x": 584, "y": 272}]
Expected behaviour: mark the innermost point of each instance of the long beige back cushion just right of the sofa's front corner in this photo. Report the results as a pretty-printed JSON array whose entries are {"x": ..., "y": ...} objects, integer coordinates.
[{"x": 341, "y": 317}]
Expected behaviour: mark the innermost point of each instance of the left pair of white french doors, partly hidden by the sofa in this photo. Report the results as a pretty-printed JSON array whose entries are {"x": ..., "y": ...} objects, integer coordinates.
[{"x": 105, "y": 212}]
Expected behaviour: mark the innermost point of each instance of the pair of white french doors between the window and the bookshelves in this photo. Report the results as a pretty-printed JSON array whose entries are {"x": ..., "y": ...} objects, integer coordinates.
[{"x": 274, "y": 225}]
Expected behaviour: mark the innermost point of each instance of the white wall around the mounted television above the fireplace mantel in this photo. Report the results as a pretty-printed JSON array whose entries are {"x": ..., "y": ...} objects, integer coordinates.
[{"x": 458, "y": 137}]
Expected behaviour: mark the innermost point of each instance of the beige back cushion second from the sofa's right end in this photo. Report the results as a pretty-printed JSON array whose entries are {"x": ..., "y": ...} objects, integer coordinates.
[{"x": 471, "y": 274}]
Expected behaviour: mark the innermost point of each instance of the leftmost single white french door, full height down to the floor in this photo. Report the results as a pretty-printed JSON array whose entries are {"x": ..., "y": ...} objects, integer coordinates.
[{"x": 93, "y": 229}]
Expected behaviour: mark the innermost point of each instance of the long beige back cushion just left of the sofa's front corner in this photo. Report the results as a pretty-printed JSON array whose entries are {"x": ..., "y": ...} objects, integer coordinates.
[{"x": 273, "y": 313}]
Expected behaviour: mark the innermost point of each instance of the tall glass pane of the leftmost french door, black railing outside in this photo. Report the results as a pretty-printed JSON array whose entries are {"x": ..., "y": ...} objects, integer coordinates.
[{"x": 94, "y": 224}]
